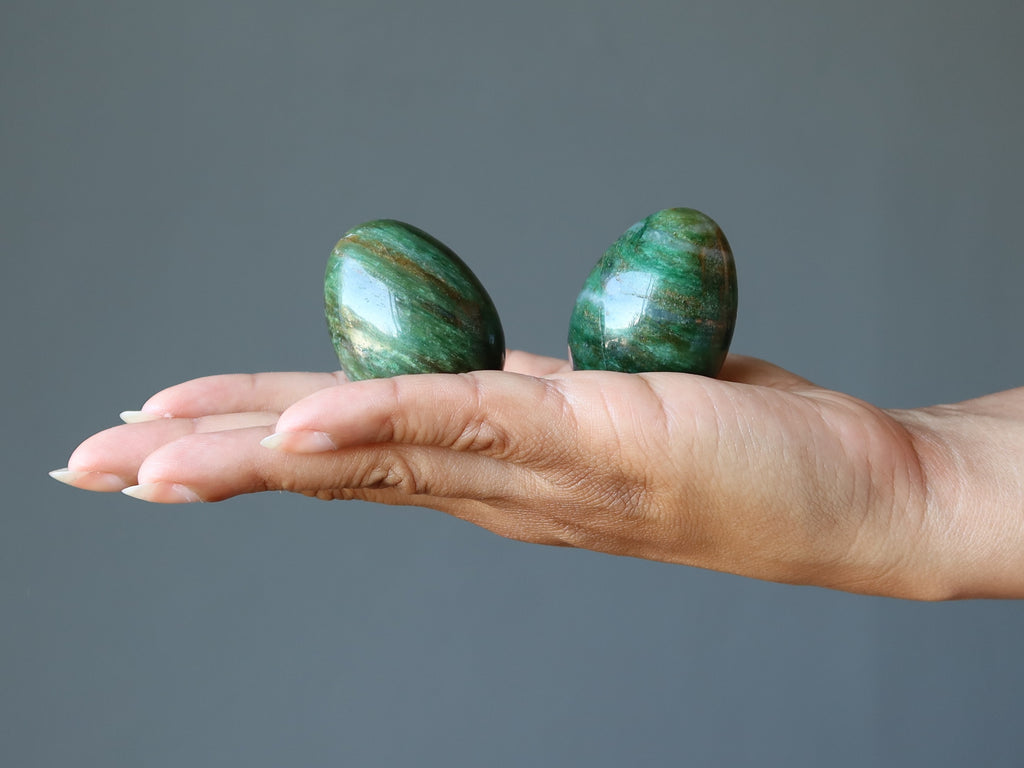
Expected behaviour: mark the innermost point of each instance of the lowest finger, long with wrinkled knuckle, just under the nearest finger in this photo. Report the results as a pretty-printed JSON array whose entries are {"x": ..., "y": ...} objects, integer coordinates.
[{"x": 220, "y": 465}]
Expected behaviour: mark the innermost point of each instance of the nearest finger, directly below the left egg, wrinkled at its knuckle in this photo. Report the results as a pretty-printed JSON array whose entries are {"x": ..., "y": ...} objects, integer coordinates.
[{"x": 487, "y": 412}]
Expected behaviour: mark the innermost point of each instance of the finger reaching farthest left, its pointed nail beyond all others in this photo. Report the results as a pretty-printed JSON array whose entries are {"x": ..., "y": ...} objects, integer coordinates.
[{"x": 110, "y": 460}]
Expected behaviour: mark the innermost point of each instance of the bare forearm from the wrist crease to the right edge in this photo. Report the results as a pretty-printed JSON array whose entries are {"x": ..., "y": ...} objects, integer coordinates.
[{"x": 972, "y": 455}]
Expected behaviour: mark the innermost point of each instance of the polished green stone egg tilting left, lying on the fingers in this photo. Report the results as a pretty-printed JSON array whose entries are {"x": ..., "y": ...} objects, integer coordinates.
[{"x": 399, "y": 302}]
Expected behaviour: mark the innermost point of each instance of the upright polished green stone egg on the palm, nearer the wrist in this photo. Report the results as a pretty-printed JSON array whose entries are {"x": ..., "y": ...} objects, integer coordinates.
[{"x": 662, "y": 298}]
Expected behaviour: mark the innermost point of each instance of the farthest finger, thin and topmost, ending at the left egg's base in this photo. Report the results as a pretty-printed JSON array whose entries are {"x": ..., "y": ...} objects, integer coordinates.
[{"x": 235, "y": 393}]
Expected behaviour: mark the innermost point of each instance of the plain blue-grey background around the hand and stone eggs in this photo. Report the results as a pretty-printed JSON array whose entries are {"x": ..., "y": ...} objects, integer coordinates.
[{"x": 174, "y": 178}]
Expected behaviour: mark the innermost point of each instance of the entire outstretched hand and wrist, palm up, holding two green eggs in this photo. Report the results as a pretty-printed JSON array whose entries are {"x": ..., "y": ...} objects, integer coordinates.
[{"x": 759, "y": 473}]
